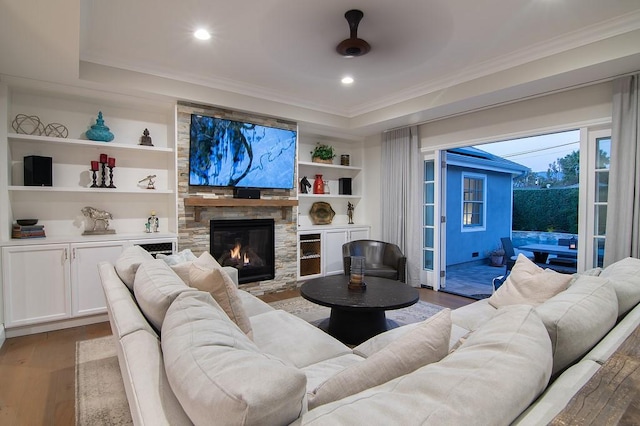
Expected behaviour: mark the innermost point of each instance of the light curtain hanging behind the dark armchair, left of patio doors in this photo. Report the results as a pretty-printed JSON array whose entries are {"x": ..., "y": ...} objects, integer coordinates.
[{"x": 401, "y": 199}]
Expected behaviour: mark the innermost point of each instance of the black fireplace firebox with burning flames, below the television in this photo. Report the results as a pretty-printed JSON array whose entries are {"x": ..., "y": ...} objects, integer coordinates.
[{"x": 245, "y": 244}]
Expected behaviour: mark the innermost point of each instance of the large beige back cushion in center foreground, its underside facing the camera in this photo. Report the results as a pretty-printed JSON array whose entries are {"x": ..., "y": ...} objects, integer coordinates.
[{"x": 489, "y": 380}]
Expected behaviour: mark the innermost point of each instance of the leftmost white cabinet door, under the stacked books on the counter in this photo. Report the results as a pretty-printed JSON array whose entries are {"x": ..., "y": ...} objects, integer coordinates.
[{"x": 36, "y": 284}]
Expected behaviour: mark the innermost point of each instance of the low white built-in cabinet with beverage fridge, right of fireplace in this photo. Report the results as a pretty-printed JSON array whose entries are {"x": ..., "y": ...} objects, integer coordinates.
[{"x": 320, "y": 249}]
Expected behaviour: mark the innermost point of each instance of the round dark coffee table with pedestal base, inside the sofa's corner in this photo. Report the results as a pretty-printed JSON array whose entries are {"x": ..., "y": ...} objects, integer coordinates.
[{"x": 358, "y": 315}]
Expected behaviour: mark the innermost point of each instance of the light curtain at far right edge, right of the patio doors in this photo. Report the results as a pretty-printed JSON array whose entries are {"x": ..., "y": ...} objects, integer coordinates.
[{"x": 623, "y": 206}]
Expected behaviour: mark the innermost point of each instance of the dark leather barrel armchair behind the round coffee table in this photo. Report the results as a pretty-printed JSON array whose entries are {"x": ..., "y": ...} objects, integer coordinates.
[{"x": 381, "y": 259}]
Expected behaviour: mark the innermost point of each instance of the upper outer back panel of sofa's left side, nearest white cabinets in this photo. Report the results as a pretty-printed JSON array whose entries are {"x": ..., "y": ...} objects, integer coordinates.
[{"x": 124, "y": 315}]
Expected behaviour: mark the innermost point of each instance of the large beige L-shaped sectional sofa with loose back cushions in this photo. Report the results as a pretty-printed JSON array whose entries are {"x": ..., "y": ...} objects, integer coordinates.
[{"x": 222, "y": 356}]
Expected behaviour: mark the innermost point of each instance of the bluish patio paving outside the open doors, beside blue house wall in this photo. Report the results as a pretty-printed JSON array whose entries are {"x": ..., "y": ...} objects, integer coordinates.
[{"x": 471, "y": 279}]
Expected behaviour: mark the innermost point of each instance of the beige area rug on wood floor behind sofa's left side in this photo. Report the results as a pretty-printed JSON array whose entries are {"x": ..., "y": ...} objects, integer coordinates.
[{"x": 100, "y": 394}]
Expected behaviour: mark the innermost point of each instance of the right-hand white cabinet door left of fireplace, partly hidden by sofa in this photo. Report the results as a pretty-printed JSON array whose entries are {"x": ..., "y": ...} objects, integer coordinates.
[{"x": 87, "y": 294}]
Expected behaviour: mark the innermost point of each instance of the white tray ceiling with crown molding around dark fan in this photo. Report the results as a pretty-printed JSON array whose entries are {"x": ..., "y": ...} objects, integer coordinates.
[{"x": 429, "y": 58}]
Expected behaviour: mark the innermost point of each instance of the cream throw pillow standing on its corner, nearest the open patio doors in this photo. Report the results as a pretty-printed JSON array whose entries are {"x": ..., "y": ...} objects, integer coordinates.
[{"x": 529, "y": 284}]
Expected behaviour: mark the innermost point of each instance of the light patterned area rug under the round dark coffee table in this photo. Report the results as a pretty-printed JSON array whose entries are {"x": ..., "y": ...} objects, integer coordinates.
[{"x": 315, "y": 314}]
